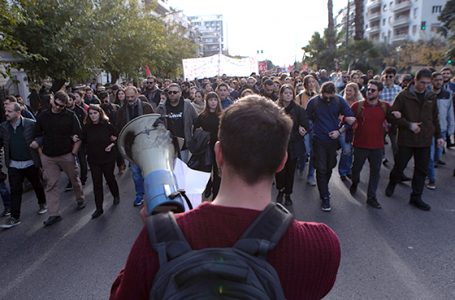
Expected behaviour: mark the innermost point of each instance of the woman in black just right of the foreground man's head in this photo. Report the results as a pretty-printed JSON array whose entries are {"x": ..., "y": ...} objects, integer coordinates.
[{"x": 285, "y": 178}]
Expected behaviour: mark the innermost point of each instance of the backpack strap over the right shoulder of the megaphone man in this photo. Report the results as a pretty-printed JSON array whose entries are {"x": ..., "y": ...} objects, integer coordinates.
[{"x": 265, "y": 231}]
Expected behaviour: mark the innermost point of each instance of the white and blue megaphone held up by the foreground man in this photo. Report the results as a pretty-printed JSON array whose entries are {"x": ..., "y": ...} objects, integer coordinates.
[{"x": 146, "y": 142}]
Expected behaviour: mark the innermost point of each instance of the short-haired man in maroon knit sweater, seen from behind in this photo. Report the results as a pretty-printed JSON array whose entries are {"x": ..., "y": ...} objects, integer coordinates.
[{"x": 308, "y": 255}]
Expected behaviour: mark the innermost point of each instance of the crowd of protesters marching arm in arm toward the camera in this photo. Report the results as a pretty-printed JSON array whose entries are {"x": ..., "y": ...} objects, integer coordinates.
[{"x": 74, "y": 129}]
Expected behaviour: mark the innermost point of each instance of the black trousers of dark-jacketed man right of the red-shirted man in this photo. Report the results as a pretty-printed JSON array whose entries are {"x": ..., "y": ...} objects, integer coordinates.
[{"x": 421, "y": 161}]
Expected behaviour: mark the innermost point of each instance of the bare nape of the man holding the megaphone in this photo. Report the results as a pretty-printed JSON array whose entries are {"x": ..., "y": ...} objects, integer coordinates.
[{"x": 234, "y": 192}]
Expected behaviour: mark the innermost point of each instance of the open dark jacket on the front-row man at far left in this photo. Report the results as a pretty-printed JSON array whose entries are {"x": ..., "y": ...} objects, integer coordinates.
[{"x": 29, "y": 132}]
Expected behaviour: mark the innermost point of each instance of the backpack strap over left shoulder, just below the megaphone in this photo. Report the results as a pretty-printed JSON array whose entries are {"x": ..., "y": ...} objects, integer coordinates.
[{"x": 166, "y": 237}]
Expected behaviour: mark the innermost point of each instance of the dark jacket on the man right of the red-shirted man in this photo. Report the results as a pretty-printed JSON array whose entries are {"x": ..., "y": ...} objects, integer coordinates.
[{"x": 412, "y": 110}]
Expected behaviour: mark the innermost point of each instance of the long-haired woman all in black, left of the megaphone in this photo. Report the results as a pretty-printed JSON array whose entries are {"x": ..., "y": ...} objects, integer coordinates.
[{"x": 99, "y": 136}]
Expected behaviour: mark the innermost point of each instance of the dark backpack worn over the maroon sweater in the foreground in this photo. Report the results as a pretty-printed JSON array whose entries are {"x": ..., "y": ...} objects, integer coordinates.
[{"x": 239, "y": 272}]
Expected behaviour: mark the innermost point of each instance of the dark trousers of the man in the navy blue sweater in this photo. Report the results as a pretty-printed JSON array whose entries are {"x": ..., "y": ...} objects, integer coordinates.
[{"x": 325, "y": 159}]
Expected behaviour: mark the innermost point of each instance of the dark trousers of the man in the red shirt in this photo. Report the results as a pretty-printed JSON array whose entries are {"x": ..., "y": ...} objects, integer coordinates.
[{"x": 374, "y": 157}]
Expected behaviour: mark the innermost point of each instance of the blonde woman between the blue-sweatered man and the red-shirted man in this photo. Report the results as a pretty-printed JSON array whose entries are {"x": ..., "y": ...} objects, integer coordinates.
[{"x": 351, "y": 94}]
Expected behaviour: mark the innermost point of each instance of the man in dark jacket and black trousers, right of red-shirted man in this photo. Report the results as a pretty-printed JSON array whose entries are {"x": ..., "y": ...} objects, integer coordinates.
[{"x": 417, "y": 126}]
